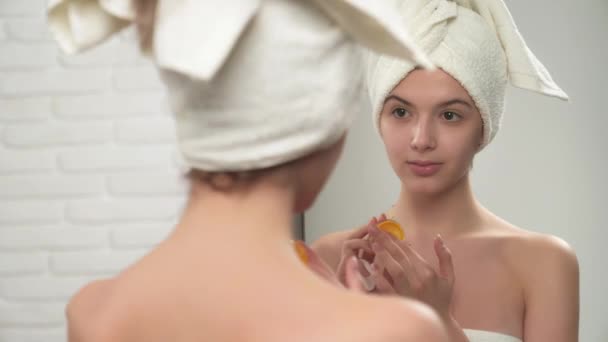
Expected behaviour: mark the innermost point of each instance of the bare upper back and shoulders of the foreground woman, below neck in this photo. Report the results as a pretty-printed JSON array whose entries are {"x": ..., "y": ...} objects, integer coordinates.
[{"x": 165, "y": 297}]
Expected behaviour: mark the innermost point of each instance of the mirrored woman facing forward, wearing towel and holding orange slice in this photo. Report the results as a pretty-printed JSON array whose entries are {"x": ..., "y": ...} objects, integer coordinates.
[{"x": 498, "y": 281}]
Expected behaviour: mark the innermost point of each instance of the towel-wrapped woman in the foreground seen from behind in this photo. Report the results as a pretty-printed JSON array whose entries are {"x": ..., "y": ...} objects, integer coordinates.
[{"x": 263, "y": 94}]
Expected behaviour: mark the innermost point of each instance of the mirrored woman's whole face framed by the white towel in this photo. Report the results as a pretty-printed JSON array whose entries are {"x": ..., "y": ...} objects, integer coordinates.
[{"x": 431, "y": 130}]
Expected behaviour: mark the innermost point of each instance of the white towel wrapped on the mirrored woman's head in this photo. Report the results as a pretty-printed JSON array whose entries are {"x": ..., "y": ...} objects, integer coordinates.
[{"x": 477, "y": 43}]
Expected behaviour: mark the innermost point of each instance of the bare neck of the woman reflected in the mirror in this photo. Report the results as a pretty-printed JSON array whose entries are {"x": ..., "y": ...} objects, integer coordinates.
[{"x": 451, "y": 213}]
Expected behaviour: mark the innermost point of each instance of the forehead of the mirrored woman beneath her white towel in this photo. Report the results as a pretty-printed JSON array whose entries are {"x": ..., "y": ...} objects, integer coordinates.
[{"x": 435, "y": 85}]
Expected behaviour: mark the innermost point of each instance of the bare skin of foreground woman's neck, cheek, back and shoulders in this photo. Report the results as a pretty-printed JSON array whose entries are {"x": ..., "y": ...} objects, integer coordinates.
[{"x": 229, "y": 272}]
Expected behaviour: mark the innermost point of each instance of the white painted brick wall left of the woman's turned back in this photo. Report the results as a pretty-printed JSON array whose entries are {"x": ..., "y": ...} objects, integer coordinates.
[{"x": 88, "y": 177}]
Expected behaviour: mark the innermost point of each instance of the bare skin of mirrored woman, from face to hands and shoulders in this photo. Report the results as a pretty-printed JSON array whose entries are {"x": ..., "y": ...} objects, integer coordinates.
[{"x": 505, "y": 279}]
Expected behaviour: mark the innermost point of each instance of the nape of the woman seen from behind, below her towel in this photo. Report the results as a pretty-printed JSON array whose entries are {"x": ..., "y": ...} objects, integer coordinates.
[{"x": 252, "y": 218}]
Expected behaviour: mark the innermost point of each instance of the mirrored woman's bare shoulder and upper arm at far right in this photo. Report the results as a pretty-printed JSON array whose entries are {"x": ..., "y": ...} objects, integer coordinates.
[{"x": 547, "y": 269}]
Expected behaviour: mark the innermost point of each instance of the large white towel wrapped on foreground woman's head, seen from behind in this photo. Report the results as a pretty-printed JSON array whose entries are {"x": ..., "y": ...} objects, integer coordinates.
[{"x": 252, "y": 83}]
